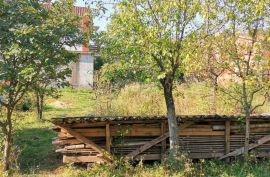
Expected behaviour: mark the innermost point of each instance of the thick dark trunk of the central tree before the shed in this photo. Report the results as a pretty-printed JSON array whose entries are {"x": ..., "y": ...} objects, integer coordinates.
[{"x": 172, "y": 122}]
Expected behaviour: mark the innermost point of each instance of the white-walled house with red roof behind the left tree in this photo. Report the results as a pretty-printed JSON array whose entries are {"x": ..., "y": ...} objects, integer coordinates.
[{"x": 82, "y": 70}]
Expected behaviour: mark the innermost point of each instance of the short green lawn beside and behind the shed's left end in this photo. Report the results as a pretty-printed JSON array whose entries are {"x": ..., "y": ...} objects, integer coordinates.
[{"x": 33, "y": 138}]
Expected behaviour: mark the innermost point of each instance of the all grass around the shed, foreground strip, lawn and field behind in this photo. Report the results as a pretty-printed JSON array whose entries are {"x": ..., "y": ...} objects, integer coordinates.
[{"x": 34, "y": 154}]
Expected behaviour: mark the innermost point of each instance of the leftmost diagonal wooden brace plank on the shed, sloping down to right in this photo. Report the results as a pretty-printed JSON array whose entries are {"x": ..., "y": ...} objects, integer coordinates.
[{"x": 105, "y": 155}]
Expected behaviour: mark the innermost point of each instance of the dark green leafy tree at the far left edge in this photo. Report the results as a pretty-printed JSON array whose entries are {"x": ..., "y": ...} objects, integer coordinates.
[{"x": 32, "y": 47}]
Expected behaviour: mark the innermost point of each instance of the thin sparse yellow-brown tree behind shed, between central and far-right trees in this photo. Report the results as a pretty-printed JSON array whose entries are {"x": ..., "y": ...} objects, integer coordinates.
[{"x": 205, "y": 66}]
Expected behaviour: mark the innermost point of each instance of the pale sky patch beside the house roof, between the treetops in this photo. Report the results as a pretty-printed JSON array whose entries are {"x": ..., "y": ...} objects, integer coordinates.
[{"x": 101, "y": 22}]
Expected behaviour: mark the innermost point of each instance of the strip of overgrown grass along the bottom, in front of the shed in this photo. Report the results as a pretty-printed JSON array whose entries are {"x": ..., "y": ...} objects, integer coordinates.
[{"x": 199, "y": 169}]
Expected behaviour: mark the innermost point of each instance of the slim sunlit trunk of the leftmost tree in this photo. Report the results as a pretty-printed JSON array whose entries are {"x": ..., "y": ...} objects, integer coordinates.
[{"x": 7, "y": 141}]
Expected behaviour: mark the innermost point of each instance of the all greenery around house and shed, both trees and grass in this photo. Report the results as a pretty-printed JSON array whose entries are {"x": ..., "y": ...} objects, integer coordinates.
[{"x": 153, "y": 49}]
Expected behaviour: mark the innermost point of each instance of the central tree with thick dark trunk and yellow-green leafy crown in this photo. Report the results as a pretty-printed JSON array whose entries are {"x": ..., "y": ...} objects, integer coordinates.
[{"x": 158, "y": 36}]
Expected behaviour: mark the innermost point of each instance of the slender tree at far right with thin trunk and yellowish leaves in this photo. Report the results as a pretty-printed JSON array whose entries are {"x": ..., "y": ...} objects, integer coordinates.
[{"x": 242, "y": 46}]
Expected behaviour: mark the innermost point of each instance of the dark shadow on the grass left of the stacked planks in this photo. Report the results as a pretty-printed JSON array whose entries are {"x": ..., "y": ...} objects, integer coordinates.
[{"x": 36, "y": 150}]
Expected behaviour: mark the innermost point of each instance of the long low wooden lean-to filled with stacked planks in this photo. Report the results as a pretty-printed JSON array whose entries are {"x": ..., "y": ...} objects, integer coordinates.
[{"x": 99, "y": 139}]
